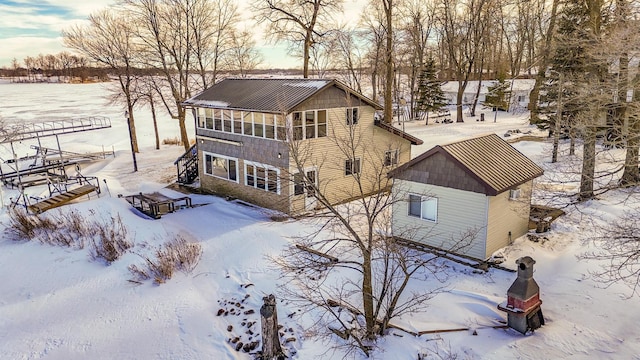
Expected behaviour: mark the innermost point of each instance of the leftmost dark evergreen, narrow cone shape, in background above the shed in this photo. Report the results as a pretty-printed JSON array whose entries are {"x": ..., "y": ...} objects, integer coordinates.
[{"x": 429, "y": 94}]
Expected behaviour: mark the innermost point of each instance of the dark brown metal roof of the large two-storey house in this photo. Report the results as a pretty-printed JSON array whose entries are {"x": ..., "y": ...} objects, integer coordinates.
[{"x": 265, "y": 95}]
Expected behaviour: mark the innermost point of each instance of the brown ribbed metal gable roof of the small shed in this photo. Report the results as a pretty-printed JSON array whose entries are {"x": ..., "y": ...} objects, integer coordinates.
[{"x": 491, "y": 160}]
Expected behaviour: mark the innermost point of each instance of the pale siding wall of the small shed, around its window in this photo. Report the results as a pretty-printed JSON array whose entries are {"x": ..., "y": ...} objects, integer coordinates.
[{"x": 458, "y": 213}]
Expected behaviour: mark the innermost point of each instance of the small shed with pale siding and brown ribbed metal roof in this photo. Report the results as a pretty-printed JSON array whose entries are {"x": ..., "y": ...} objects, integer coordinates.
[{"x": 478, "y": 189}]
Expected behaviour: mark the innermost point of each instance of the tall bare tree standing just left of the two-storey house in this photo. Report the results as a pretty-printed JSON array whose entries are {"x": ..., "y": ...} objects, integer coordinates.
[{"x": 175, "y": 37}]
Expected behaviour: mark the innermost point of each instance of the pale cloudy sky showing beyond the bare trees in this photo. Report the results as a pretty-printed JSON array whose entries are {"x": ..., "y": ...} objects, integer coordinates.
[{"x": 32, "y": 27}]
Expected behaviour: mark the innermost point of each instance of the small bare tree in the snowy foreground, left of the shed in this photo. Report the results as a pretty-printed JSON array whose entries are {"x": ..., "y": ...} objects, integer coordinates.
[{"x": 352, "y": 268}]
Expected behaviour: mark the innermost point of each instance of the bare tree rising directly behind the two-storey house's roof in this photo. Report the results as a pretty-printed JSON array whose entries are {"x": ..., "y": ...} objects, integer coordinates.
[{"x": 298, "y": 23}]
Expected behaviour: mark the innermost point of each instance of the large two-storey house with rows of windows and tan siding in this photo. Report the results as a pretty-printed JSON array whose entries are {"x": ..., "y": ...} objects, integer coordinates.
[{"x": 266, "y": 140}]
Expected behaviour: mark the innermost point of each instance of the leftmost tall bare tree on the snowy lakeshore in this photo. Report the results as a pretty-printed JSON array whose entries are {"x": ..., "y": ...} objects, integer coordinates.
[{"x": 109, "y": 39}]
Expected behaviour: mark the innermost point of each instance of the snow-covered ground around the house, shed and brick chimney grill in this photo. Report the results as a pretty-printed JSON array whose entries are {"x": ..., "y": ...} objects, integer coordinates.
[{"x": 59, "y": 303}]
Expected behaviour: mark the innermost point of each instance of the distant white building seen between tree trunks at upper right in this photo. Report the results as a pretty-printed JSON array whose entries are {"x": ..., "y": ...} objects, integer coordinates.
[{"x": 520, "y": 90}]
